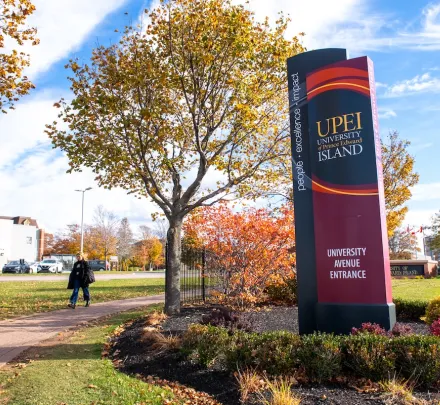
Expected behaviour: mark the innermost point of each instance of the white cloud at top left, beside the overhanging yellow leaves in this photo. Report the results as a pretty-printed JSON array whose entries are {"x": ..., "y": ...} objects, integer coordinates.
[{"x": 62, "y": 28}]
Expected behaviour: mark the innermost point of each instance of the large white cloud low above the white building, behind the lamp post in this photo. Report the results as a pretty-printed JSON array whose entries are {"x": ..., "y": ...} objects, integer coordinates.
[{"x": 40, "y": 187}]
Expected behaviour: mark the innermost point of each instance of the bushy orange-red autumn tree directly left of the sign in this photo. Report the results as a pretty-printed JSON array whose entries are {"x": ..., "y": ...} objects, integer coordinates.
[{"x": 249, "y": 249}]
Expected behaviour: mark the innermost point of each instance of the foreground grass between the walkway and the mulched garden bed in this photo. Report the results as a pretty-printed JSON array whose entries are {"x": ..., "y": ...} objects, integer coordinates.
[{"x": 72, "y": 372}]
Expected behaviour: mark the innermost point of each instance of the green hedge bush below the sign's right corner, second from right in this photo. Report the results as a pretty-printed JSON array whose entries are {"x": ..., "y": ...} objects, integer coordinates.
[{"x": 369, "y": 355}]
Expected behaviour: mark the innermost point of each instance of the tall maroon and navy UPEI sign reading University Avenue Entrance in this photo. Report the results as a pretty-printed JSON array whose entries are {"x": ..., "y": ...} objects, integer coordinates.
[{"x": 342, "y": 247}]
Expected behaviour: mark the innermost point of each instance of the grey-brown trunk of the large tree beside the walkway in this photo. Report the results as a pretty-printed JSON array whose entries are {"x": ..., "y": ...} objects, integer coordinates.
[{"x": 172, "y": 273}]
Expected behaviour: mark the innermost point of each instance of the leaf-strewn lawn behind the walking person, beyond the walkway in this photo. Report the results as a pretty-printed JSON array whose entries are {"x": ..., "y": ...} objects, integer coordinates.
[{"x": 18, "y": 298}]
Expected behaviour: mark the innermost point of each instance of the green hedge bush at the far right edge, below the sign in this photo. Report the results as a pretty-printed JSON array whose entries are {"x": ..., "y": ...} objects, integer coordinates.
[{"x": 418, "y": 358}]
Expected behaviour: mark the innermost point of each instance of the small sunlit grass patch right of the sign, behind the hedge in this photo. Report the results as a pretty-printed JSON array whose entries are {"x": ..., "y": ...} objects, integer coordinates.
[{"x": 412, "y": 289}]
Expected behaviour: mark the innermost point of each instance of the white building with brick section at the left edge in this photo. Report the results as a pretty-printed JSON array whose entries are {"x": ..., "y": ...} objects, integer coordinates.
[{"x": 20, "y": 238}]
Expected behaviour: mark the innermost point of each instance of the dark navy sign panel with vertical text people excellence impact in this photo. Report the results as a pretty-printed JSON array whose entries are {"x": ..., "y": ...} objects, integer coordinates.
[{"x": 298, "y": 67}]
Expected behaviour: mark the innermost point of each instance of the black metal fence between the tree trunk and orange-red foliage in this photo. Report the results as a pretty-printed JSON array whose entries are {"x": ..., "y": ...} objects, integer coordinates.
[{"x": 198, "y": 278}]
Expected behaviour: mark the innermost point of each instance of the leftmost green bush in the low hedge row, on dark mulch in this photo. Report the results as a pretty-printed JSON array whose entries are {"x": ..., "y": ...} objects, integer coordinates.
[{"x": 207, "y": 341}]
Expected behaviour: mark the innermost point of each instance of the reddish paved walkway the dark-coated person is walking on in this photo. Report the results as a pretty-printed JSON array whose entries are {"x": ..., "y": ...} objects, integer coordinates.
[{"x": 17, "y": 335}]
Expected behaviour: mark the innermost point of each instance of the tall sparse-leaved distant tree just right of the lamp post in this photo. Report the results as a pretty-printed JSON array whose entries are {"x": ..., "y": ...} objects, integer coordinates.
[{"x": 105, "y": 230}]
